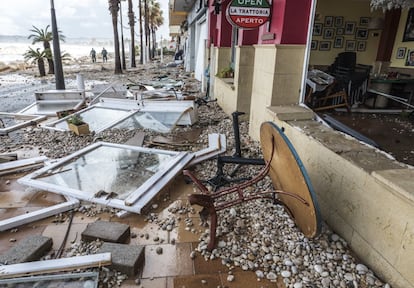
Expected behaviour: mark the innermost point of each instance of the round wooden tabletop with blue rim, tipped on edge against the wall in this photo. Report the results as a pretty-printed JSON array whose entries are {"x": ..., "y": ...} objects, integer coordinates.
[{"x": 288, "y": 174}]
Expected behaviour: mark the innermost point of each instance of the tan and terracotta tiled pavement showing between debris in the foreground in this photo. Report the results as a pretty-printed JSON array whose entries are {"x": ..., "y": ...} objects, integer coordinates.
[{"x": 173, "y": 268}]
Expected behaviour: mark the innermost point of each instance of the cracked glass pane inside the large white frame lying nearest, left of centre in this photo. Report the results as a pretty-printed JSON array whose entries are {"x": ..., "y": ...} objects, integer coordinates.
[{"x": 109, "y": 172}]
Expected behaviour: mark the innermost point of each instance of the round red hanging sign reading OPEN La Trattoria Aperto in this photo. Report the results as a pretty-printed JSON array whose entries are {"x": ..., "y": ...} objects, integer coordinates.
[{"x": 248, "y": 14}]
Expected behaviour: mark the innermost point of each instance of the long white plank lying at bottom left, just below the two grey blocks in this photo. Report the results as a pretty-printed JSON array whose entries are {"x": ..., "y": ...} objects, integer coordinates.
[{"x": 55, "y": 265}]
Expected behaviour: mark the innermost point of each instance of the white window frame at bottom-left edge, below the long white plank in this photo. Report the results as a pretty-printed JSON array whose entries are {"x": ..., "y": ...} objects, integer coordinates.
[{"x": 94, "y": 276}]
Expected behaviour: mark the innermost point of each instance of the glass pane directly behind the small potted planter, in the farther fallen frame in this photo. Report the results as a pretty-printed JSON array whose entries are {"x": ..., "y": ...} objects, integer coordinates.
[{"x": 97, "y": 117}]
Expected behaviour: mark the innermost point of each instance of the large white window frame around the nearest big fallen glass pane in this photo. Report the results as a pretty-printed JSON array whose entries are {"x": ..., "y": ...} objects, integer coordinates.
[{"x": 137, "y": 199}]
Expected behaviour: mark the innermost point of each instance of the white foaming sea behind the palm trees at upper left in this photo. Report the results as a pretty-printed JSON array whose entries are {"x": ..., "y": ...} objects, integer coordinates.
[{"x": 13, "y": 47}]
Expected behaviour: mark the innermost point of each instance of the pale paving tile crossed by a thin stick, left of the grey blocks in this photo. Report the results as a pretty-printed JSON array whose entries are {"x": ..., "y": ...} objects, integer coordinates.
[{"x": 57, "y": 233}]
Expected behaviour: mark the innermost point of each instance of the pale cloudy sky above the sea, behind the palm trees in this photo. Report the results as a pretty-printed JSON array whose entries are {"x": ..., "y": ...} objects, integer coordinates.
[{"x": 75, "y": 18}]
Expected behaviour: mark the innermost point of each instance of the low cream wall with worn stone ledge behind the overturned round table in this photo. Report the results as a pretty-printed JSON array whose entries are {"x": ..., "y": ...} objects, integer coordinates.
[{"x": 364, "y": 194}]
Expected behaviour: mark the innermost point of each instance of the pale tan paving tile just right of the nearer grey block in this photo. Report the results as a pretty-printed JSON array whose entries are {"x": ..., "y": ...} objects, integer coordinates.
[{"x": 165, "y": 265}]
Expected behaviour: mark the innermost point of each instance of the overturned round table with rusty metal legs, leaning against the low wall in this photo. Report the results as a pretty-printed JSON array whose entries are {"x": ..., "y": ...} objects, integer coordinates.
[{"x": 289, "y": 178}]
